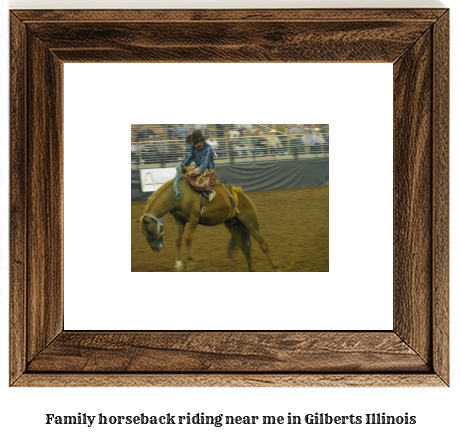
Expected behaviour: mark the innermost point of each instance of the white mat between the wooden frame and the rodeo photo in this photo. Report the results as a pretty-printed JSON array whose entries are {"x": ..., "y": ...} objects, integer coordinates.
[{"x": 355, "y": 99}]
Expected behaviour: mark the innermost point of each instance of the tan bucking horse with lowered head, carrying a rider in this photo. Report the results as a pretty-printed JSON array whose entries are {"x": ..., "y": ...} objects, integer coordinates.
[{"x": 231, "y": 207}]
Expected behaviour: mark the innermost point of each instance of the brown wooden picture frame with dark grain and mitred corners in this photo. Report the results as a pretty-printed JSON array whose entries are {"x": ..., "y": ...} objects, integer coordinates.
[{"x": 414, "y": 353}]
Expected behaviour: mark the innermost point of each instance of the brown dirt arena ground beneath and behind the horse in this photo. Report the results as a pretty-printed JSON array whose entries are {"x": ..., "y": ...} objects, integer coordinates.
[{"x": 294, "y": 222}]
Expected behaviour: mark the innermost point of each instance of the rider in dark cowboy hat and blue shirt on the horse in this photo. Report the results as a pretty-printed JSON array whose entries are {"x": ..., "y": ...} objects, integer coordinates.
[{"x": 203, "y": 156}]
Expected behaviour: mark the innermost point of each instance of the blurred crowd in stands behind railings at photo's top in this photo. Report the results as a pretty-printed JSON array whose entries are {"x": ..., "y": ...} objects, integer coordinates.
[{"x": 167, "y": 142}]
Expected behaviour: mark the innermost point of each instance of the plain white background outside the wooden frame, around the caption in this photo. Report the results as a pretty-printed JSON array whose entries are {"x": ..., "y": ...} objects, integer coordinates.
[{"x": 23, "y": 410}]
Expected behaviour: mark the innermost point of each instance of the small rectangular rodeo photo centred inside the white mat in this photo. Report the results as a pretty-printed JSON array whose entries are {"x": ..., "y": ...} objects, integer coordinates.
[{"x": 230, "y": 197}]
